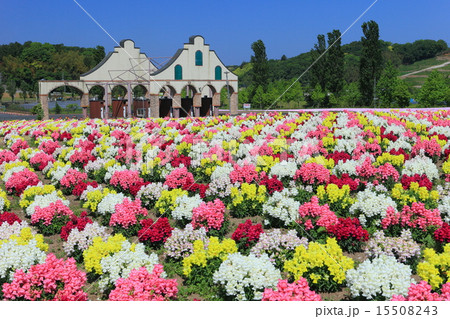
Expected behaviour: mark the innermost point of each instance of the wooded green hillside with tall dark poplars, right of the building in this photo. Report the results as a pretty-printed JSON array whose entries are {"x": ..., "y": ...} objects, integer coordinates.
[{"x": 362, "y": 73}]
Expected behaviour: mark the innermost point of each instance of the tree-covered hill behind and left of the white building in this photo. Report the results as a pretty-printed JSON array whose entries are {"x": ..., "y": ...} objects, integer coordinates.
[{"x": 23, "y": 65}]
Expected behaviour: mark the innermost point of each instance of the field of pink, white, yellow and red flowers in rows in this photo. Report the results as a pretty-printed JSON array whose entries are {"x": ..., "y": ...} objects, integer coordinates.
[{"x": 303, "y": 206}]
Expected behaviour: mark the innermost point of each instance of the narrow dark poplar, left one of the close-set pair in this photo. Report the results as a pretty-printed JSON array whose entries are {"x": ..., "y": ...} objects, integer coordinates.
[{"x": 319, "y": 69}]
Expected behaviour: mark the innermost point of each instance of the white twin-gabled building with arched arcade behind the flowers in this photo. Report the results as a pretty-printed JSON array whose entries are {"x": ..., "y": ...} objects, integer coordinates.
[{"x": 194, "y": 72}]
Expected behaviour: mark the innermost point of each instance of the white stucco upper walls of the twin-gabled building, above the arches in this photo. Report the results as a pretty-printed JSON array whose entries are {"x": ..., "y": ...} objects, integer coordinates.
[{"x": 128, "y": 65}]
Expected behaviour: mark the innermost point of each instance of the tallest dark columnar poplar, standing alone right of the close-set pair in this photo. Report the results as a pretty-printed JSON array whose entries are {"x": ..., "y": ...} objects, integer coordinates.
[{"x": 371, "y": 61}]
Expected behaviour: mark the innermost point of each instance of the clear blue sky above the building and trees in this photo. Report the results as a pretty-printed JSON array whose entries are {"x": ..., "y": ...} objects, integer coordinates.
[{"x": 159, "y": 28}]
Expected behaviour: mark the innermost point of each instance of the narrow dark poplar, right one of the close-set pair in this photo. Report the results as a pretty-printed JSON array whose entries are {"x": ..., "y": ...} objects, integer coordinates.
[{"x": 335, "y": 63}]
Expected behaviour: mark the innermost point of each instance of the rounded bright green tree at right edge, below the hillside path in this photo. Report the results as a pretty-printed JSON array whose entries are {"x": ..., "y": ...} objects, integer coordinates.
[{"x": 434, "y": 90}]
